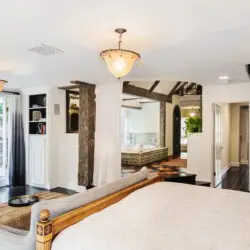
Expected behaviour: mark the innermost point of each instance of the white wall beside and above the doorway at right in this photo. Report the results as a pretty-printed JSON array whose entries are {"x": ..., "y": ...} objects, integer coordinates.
[{"x": 200, "y": 150}]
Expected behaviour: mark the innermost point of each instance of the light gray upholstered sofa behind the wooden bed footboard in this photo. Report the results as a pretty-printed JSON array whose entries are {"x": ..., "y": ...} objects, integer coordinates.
[{"x": 15, "y": 240}]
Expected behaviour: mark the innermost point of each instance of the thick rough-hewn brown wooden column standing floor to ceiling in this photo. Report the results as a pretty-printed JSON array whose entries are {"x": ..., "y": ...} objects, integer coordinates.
[{"x": 87, "y": 114}]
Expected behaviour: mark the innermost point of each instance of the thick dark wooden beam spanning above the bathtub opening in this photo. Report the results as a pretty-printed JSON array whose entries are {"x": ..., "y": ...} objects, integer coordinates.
[{"x": 137, "y": 91}]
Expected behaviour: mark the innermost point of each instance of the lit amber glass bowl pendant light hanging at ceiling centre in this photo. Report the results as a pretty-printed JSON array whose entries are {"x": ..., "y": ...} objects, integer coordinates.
[{"x": 120, "y": 61}]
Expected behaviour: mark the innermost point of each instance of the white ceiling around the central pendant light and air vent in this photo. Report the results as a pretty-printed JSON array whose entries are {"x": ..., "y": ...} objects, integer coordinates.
[{"x": 189, "y": 40}]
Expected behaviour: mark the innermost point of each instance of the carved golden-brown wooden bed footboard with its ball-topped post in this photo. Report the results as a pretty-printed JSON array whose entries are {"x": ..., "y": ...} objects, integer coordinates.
[{"x": 48, "y": 229}]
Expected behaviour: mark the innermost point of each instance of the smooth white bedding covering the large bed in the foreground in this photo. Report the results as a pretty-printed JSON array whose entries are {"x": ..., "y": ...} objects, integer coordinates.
[{"x": 166, "y": 216}]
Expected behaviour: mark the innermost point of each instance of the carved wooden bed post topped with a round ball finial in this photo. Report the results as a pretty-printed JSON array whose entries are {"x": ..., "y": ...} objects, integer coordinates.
[{"x": 44, "y": 231}]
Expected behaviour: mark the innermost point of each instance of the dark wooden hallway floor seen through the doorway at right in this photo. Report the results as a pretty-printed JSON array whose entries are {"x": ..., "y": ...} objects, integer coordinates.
[{"x": 236, "y": 178}]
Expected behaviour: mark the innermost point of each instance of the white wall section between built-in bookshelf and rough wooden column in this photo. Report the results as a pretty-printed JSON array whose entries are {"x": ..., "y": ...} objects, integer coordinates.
[{"x": 64, "y": 146}]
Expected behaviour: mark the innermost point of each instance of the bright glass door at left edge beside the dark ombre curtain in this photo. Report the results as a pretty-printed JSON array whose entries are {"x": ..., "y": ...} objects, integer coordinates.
[{"x": 3, "y": 141}]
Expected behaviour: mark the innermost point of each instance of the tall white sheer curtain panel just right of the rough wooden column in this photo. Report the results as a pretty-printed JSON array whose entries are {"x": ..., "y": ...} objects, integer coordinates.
[{"x": 108, "y": 137}]
